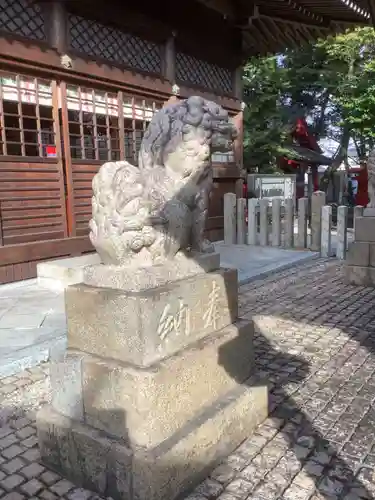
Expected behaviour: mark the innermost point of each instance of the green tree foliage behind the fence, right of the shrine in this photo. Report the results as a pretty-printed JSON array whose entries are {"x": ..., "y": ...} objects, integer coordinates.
[{"x": 330, "y": 82}]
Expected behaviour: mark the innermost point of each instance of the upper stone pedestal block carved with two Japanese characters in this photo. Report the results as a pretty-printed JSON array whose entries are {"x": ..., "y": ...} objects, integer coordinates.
[{"x": 142, "y": 327}]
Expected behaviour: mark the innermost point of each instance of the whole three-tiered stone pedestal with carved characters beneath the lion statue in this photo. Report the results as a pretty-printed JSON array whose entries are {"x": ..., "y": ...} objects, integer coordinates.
[{"x": 155, "y": 386}]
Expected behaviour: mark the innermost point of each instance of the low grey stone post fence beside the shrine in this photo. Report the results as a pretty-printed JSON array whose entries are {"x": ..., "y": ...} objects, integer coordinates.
[{"x": 281, "y": 224}]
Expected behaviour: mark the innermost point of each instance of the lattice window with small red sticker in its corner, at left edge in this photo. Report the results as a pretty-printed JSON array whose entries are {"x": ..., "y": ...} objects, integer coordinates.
[{"x": 26, "y": 118}]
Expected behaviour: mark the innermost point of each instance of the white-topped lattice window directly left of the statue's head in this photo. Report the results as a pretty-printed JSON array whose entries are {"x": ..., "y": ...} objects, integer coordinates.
[{"x": 106, "y": 126}]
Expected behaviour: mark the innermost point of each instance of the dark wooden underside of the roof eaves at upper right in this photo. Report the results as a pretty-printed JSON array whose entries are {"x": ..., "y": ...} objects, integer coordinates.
[{"x": 270, "y": 26}]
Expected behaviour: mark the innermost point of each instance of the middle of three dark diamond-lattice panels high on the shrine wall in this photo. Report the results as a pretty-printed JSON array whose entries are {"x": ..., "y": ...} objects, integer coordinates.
[{"x": 112, "y": 44}]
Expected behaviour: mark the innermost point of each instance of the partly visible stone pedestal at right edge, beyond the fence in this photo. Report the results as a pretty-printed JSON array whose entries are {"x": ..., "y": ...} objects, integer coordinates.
[{"x": 360, "y": 258}]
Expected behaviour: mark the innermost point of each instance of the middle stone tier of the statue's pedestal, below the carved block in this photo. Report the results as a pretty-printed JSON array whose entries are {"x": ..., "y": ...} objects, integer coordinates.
[{"x": 146, "y": 406}]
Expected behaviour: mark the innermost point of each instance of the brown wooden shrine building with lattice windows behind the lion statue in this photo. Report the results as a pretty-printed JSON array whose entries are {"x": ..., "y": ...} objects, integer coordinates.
[{"x": 80, "y": 80}]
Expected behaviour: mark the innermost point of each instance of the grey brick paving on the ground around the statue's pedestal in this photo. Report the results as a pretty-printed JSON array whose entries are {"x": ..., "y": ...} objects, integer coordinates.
[{"x": 315, "y": 348}]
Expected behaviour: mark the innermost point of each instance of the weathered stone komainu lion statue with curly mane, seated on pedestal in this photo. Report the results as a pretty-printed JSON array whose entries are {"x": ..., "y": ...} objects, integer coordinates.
[{"x": 151, "y": 213}]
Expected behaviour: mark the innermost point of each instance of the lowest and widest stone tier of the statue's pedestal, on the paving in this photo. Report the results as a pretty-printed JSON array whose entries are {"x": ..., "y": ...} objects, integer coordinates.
[{"x": 95, "y": 461}]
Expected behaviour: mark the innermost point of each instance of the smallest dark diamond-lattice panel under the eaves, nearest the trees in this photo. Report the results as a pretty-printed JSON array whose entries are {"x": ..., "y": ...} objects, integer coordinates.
[{"x": 195, "y": 71}]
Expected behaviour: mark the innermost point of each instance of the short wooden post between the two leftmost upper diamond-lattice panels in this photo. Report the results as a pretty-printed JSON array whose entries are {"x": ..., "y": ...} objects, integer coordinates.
[{"x": 57, "y": 26}]
